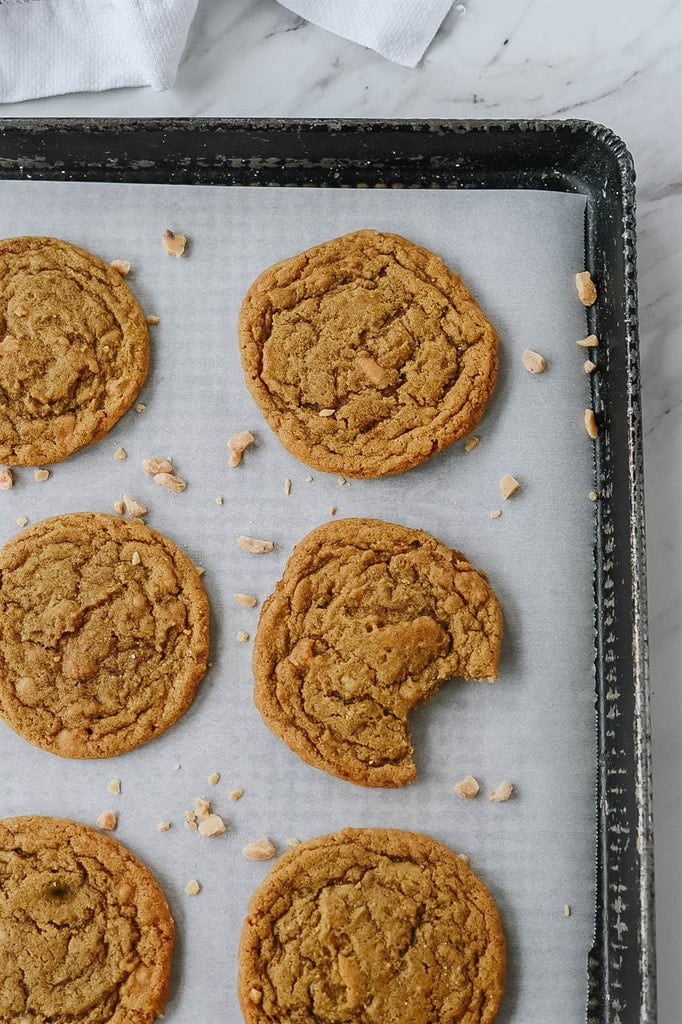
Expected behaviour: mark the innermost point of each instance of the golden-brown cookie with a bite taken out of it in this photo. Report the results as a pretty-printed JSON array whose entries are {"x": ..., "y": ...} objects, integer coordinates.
[{"x": 367, "y": 622}]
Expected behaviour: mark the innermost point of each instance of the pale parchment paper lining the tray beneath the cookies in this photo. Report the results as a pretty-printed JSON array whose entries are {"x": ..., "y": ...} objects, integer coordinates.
[{"x": 519, "y": 253}]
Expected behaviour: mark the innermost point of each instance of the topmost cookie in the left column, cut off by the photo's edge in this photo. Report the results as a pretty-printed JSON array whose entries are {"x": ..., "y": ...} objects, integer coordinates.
[{"x": 74, "y": 350}]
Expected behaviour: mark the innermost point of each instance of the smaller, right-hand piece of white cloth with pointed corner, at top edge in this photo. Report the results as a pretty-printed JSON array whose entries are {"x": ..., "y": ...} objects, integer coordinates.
[{"x": 399, "y": 30}]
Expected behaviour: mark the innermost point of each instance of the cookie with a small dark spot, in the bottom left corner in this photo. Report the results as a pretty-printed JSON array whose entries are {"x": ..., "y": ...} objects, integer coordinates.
[{"x": 87, "y": 936}]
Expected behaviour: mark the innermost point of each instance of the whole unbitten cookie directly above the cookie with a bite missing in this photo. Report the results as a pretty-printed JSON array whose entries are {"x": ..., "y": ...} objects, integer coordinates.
[{"x": 367, "y": 355}]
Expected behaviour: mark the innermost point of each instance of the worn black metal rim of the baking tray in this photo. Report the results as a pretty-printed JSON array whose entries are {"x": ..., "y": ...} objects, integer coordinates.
[{"x": 558, "y": 156}]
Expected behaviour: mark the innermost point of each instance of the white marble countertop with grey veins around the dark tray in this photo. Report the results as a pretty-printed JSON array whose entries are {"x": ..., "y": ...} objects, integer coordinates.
[{"x": 616, "y": 62}]
